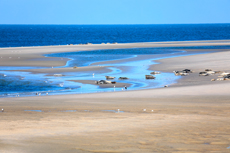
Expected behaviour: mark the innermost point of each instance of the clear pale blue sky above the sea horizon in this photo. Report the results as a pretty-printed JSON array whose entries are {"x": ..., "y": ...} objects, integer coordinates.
[{"x": 114, "y": 11}]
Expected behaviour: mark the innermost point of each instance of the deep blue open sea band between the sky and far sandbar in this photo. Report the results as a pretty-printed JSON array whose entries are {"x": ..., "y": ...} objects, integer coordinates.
[{"x": 44, "y": 35}]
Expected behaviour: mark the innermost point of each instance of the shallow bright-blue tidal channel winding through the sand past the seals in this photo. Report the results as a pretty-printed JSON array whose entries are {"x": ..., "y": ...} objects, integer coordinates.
[{"x": 15, "y": 83}]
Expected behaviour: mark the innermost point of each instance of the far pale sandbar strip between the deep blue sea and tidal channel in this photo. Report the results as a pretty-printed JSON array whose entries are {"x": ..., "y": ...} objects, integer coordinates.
[{"x": 36, "y": 57}]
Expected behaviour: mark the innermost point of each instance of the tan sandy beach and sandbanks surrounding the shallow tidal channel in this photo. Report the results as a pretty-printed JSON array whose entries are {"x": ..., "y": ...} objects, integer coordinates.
[{"x": 191, "y": 115}]
